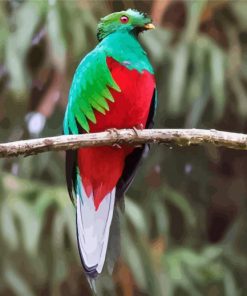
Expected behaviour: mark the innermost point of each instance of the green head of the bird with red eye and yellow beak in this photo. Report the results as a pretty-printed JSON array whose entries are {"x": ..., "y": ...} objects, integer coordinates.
[{"x": 128, "y": 20}]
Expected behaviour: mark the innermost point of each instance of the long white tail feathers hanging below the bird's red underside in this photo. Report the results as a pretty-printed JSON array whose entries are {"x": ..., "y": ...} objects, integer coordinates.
[{"x": 93, "y": 227}]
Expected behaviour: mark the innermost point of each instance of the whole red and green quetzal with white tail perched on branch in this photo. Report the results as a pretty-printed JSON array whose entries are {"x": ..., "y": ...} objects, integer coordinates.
[{"x": 113, "y": 87}]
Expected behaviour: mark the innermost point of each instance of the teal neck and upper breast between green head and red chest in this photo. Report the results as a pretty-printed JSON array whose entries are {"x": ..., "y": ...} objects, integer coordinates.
[{"x": 126, "y": 48}]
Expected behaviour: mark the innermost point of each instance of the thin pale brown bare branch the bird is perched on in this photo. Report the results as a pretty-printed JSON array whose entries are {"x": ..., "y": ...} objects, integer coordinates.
[{"x": 180, "y": 137}]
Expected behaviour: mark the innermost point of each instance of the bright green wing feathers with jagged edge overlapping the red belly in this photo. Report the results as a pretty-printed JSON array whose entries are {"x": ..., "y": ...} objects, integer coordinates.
[{"x": 89, "y": 92}]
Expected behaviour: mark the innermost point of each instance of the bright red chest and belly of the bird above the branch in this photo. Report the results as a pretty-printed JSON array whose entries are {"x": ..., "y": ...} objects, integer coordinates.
[{"x": 132, "y": 104}]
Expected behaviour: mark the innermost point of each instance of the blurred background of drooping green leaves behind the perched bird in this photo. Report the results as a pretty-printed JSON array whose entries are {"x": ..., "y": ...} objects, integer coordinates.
[{"x": 184, "y": 231}]
